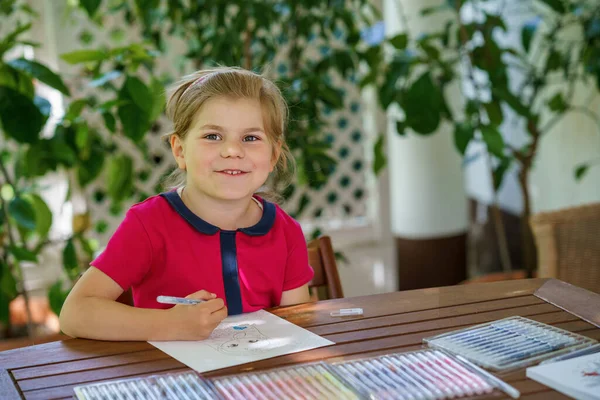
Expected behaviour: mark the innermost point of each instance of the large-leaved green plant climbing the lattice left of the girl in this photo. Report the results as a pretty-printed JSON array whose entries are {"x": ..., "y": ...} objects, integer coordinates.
[{"x": 77, "y": 146}]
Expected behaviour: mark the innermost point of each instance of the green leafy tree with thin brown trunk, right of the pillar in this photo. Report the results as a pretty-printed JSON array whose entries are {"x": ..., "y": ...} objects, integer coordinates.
[{"x": 422, "y": 67}]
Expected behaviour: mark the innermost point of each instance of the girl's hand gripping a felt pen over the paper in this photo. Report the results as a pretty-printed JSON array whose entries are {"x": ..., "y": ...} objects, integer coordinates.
[{"x": 196, "y": 322}]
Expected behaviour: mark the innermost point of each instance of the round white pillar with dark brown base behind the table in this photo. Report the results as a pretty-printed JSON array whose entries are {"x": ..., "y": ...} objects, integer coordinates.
[{"x": 428, "y": 200}]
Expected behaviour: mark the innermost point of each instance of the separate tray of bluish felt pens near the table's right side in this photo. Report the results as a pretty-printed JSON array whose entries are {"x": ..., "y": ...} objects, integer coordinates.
[{"x": 509, "y": 343}]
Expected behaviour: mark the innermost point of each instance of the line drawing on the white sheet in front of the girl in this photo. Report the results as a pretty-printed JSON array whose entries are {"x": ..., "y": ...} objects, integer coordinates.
[{"x": 238, "y": 340}]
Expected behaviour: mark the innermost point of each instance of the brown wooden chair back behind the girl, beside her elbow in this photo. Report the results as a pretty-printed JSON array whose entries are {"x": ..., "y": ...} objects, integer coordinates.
[{"x": 326, "y": 282}]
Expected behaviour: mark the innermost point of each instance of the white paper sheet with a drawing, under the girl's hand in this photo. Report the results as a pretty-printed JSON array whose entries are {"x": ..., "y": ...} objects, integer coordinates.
[{"x": 241, "y": 339}]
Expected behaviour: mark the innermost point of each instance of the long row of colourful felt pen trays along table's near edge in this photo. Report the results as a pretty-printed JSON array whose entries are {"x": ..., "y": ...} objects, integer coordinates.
[{"x": 430, "y": 374}]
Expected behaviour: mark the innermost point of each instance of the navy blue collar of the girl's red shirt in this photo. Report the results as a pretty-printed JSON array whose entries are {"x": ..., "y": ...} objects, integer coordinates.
[{"x": 262, "y": 227}]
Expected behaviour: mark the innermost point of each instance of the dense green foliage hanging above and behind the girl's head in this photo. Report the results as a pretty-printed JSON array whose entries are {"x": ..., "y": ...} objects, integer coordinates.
[{"x": 317, "y": 41}]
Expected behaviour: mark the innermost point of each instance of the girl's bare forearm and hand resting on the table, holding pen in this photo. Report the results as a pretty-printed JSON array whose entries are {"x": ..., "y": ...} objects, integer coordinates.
[{"x": 91, "y": 311}]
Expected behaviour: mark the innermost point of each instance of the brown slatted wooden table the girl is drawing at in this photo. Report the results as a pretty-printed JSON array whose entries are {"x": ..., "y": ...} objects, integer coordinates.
[{"x": 392, "y": 322}]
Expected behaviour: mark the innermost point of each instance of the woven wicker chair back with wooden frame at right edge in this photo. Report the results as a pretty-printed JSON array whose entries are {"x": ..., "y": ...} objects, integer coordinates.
[{"x": 568, "y": 245}]
